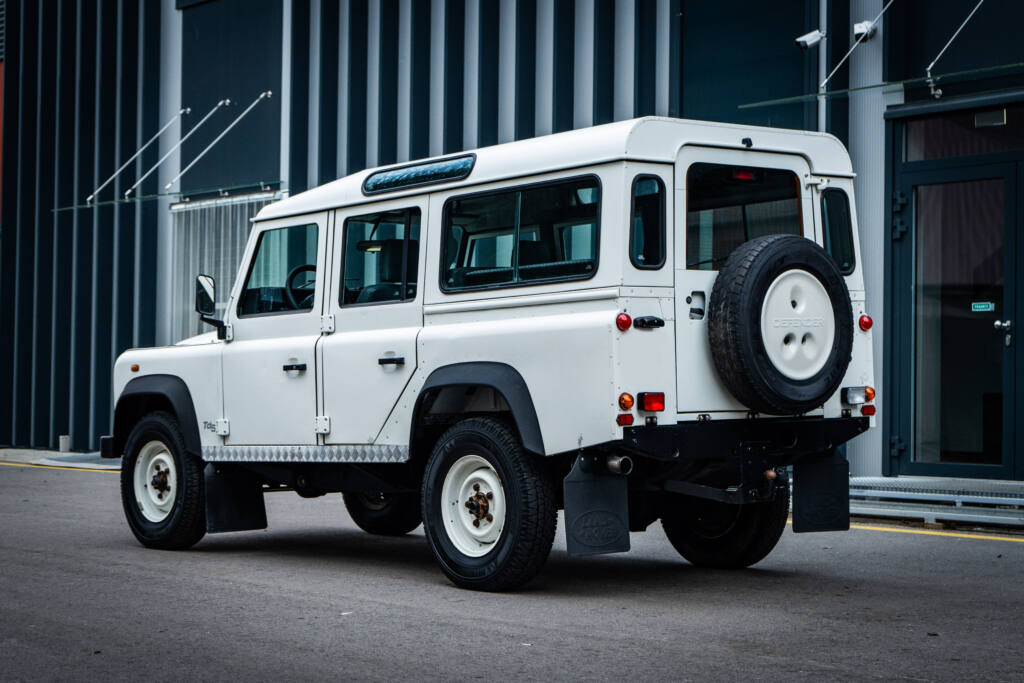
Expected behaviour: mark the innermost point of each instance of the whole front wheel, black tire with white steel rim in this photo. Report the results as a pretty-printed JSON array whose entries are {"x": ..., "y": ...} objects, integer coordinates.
[{"x": 162, "y": 486}]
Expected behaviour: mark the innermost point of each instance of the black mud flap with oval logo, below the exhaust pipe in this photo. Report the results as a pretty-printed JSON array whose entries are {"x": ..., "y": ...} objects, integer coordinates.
[{"x": 598, "y": 516}]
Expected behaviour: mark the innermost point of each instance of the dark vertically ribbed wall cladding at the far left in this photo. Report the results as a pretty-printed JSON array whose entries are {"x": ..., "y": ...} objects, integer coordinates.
[{"x": 76, "y": 284}]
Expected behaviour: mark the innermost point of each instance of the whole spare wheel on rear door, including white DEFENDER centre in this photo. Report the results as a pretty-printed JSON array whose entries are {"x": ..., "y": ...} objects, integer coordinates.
[{"x": 781, "y": 325}]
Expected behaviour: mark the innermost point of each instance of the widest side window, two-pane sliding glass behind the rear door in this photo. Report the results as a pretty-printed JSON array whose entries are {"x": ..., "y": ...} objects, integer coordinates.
[{"x": 536, "y": 234}]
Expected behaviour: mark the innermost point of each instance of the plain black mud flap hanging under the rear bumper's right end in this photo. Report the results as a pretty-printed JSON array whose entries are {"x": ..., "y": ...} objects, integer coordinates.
[{"x": 822, "y": 495}]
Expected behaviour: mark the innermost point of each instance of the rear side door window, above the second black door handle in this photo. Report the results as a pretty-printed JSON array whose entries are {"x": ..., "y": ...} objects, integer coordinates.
[{"x": 381, "y": 258}]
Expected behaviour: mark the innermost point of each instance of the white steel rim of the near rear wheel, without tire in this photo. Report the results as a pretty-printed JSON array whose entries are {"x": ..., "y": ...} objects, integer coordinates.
[{"x": 474, "y": 492}]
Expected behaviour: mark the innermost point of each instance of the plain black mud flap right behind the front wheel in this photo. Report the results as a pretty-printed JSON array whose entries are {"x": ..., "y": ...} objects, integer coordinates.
[{"x": 234, "y": 500}]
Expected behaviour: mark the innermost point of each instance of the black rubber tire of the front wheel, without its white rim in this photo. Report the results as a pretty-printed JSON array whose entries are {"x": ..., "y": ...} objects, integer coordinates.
[{"x": 186, "y": 523}]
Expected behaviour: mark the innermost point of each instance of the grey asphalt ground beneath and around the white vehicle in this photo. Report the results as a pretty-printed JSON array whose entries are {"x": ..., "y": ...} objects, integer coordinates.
[{"x": 313, "y": 597}]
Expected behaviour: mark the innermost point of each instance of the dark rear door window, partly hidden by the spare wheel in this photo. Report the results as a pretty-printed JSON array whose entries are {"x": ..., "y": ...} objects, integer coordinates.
[{"x": 729, "y": 205}]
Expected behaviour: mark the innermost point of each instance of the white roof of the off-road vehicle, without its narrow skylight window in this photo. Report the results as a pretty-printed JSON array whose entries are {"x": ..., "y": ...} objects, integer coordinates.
[{"x": 650, "y": 139}]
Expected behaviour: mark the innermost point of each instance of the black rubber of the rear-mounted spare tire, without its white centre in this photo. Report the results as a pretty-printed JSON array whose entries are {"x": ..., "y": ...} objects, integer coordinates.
[{"x": 735, "y": 325}]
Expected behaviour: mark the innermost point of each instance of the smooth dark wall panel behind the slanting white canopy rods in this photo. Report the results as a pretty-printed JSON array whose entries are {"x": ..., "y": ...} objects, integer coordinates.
[{"x": 232, "y": 49}]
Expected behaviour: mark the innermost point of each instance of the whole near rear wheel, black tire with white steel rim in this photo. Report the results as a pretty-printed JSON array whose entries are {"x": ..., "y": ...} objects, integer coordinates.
[{"x": 489, "y": 510}]
